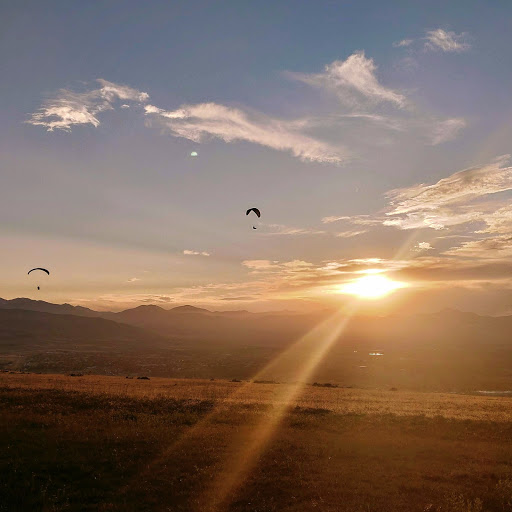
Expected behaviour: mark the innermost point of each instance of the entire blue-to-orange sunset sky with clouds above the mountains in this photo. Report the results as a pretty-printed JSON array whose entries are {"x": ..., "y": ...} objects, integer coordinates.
[{"x": 374, "y": 137}]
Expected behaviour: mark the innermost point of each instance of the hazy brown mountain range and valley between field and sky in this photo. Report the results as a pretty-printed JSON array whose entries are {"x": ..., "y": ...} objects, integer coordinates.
[{"x": 433, "y": 351}]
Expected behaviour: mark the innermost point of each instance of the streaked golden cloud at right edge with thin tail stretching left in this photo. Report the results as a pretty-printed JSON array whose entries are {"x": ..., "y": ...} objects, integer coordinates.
[{"x": 466, "y": 198}]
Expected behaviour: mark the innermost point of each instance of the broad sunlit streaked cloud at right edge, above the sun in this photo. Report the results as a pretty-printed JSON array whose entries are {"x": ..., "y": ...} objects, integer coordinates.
[{"x": 468, "y": 197}]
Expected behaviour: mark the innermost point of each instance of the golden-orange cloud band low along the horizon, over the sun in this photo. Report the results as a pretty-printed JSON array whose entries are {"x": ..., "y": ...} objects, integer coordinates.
[{"x": 270, "y": 280}]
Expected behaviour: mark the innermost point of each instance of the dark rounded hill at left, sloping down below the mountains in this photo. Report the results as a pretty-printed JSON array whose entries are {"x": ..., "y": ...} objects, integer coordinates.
[{"x": 31, "y": 340}]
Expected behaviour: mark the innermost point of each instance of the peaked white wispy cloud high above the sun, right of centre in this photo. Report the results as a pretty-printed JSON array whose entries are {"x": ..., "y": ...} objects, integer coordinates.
[{"x": 354, "y": 81}]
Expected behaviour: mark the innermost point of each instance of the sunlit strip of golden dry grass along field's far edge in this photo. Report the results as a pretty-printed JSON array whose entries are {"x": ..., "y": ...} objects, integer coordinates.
[{"x": 224, "y": 392}]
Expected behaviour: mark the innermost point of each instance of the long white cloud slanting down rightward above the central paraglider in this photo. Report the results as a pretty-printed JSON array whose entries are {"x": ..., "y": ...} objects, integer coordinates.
[{"x": 197, "y": 122}]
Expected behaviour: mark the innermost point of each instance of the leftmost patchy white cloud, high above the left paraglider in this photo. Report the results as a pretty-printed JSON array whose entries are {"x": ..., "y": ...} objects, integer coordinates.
[{"x": 69, "y": 108}]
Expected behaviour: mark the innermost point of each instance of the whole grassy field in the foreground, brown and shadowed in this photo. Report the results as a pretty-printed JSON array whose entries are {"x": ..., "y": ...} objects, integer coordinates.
[{"x": 109, "y": 443}]
